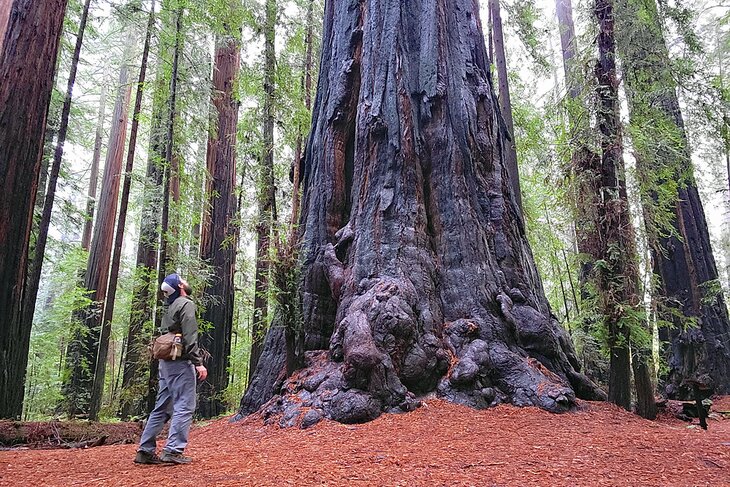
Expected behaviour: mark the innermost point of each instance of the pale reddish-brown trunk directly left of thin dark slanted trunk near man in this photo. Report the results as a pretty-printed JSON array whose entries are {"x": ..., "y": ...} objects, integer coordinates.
[{"x": 82, "y": 351}]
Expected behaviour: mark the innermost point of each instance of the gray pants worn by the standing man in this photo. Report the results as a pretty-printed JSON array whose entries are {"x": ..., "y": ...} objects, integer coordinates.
[{"x": 175, "y": 401}]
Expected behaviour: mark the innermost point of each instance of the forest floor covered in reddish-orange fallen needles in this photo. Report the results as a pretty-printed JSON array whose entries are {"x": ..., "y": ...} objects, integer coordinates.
[{"x": 440, "y": 444}]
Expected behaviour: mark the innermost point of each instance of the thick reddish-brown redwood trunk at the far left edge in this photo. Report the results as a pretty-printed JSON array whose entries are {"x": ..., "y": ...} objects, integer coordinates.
[{"x": 27, "y": 63}]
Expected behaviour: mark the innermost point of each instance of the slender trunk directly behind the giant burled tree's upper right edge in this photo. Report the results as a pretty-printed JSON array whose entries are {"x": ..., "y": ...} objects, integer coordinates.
[{"x": 505, "y": 102}]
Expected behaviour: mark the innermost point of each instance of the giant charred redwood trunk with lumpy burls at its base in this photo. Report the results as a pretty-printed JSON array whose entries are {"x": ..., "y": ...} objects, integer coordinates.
[{"x": 417, "y": 276}]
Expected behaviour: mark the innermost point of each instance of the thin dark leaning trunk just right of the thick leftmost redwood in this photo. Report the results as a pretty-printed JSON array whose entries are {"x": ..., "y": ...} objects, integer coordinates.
[{"x": 34, "y": 274}]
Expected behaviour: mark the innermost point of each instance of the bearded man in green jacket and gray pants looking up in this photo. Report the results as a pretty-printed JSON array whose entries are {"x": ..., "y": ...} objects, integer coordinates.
[{"x": 176, "y": 395}]
